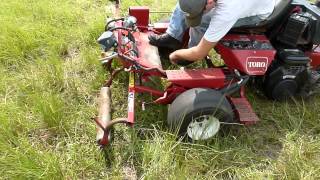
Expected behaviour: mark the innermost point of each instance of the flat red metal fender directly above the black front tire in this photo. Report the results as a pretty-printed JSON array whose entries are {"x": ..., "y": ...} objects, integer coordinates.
[{"x": 191, "y": 78}]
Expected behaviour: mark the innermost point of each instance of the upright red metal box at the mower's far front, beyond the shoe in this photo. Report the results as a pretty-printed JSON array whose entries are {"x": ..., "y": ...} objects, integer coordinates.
[{"x": 142, "y": 15}]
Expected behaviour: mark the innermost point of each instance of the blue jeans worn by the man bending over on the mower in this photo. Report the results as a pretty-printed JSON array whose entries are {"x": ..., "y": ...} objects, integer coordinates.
[{"x": 177, "y": 26}]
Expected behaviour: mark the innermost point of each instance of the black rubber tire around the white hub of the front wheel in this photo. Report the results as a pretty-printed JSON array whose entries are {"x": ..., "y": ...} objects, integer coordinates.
[{"x": 194, "y": 103}]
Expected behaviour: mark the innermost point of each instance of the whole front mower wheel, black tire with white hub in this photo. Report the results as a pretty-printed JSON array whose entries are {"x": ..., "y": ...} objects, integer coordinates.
[{"x": 196, "y": 113}]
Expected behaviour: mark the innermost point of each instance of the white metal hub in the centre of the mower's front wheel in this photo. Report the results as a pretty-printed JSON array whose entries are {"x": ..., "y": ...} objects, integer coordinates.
[{"x": 203, "y": 127}]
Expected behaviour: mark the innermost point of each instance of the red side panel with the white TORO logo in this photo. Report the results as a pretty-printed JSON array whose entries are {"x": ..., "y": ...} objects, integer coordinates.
[{"x": 248, "y": 61}]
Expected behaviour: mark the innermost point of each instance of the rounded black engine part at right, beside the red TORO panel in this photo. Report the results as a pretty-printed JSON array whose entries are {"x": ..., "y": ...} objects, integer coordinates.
[{"x": 290, "y": 75}]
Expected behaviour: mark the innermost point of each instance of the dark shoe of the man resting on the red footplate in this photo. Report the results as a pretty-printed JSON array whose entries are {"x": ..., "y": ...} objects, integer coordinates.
[{"x": 164, "y": 41}]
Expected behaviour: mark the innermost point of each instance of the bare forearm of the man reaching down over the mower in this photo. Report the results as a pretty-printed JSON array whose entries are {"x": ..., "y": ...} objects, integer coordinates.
[{"x": 193, "y": 54}]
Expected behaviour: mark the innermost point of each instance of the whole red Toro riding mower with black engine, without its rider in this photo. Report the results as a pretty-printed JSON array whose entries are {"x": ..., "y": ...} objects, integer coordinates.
[{"x": 281, "y": 54}]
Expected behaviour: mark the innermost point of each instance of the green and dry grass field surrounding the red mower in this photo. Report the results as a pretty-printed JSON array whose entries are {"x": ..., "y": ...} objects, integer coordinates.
[{"x": 49, "y": 81}]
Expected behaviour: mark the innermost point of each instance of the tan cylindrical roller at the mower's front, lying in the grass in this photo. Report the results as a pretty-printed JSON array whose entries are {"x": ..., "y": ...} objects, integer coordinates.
[{"x": 103, "y": 136}]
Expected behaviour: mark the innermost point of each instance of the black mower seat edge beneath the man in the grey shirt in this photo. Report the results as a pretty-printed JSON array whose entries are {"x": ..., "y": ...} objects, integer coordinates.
[{"x": 280, "y": 9}]
